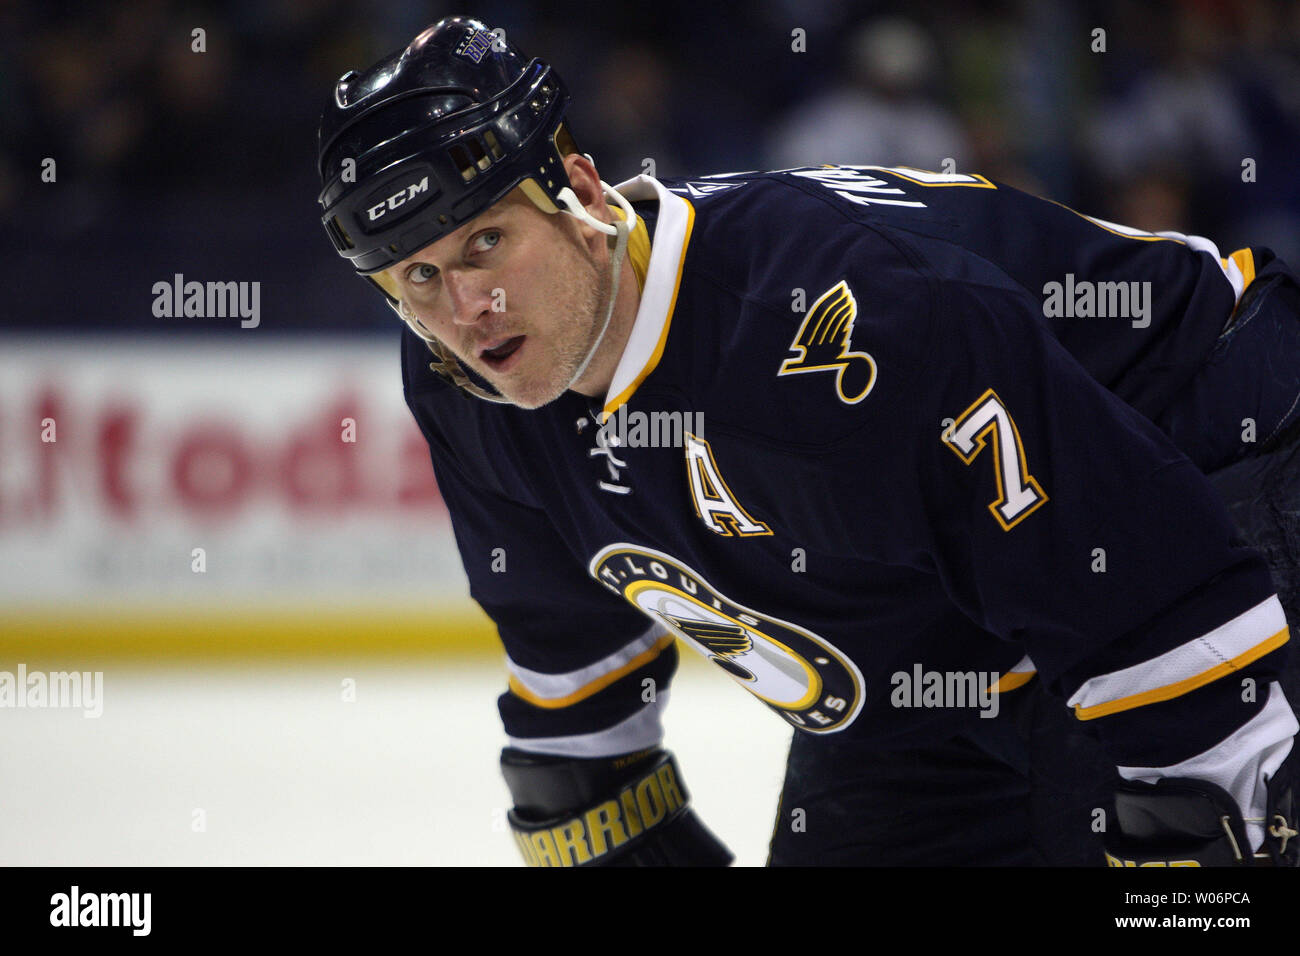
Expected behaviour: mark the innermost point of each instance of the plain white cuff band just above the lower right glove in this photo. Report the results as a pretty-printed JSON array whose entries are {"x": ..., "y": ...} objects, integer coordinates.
[{"x": 1241, "y": 763}]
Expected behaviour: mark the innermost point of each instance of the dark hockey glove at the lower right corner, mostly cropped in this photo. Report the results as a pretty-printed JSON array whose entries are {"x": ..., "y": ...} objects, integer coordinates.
[{"x": 1188, "y": 823}]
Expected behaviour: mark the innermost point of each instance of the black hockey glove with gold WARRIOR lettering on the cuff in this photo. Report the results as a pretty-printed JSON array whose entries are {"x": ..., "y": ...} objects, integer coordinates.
[{"x": 627, "y": 811}]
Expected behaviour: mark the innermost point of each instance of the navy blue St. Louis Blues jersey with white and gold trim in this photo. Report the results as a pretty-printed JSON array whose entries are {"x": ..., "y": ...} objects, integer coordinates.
[{"x": 870, "y": 422}]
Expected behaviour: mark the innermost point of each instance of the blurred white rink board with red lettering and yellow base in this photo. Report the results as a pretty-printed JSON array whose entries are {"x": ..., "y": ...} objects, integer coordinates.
[{"x": 220, "y": 495}]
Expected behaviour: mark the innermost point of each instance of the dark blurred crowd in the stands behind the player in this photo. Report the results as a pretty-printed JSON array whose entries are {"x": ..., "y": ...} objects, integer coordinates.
[{"x": 167, "y": 161}]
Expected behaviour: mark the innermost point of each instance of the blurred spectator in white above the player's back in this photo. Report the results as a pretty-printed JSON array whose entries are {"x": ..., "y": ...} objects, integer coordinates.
[{"x": 885, "y": 114}]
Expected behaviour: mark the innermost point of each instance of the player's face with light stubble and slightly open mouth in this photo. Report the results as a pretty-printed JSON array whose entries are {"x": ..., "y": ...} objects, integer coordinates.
[{"x": 515, "y": 293}]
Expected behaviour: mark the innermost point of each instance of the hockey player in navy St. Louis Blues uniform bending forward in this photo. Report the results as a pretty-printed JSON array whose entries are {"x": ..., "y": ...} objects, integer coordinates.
[{"x": 856, "y": 435}]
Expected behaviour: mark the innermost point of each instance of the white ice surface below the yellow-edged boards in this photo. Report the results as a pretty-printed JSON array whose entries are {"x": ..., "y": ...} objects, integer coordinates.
[{"x": 287, "y": 773}]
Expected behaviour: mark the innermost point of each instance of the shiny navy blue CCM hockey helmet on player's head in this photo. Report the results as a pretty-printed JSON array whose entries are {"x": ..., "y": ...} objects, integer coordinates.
[{"x": 432, "y": 136}]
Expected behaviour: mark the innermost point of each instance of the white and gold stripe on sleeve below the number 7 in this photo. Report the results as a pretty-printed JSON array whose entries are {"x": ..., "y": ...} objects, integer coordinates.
[{"x": 1210, "y": 652}]
